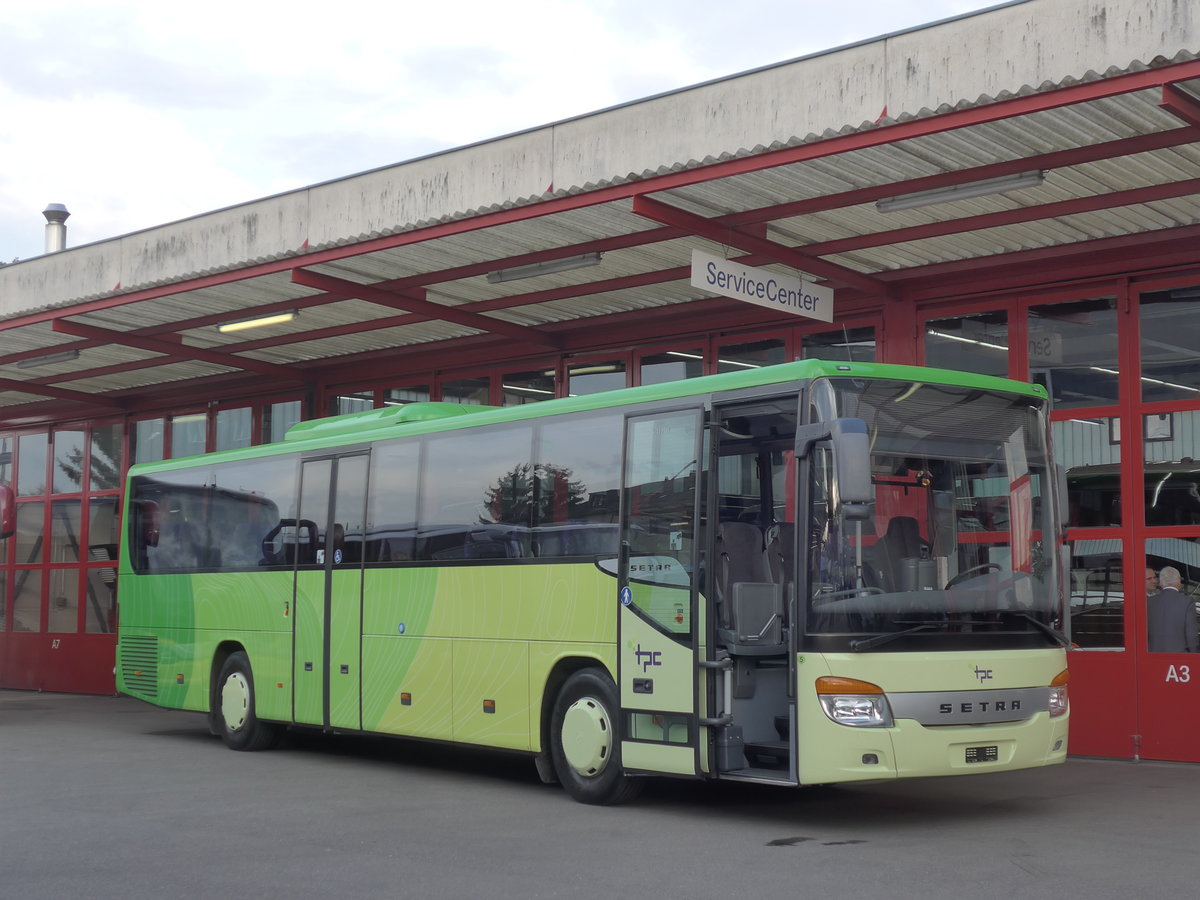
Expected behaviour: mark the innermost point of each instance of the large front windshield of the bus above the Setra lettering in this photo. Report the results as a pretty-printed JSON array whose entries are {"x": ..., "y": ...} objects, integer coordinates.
[{"x": 958, "y": 547}]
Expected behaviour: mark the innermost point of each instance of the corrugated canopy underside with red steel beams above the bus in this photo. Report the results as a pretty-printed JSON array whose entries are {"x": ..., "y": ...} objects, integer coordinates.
[{"x": 1123, "y": 179}]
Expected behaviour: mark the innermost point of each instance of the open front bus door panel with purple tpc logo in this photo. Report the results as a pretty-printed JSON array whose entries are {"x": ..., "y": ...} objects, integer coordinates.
[{"x": 658, "y": 623}]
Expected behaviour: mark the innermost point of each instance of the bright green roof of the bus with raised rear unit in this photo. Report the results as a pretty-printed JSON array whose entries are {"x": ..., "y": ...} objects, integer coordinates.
[{"x": 434, "y": 417}]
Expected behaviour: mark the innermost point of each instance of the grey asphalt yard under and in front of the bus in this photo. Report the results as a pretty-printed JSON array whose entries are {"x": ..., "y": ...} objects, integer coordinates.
[{"x": 107, "y": 797}]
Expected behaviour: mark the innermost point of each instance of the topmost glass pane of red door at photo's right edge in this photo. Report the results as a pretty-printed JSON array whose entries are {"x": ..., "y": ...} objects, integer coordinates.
[{"x": 1171, "y": 333}]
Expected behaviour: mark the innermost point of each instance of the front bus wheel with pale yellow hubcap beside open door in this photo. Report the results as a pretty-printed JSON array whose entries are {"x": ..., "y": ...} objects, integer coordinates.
[{"x": 586, "y": 742}]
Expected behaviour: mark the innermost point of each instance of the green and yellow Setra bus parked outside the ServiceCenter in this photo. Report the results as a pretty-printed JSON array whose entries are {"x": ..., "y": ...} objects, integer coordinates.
[{"x": 801, "y": 574}]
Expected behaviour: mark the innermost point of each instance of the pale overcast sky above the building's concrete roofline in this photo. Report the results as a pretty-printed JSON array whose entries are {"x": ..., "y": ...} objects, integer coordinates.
[{"x": 137, "y": 113}]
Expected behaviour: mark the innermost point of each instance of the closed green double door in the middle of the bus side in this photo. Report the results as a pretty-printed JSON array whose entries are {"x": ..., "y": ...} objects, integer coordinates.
[{"x": 328, "y": 626}]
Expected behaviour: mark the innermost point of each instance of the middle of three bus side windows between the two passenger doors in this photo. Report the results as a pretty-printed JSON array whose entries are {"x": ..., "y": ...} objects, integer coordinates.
[{"x": 477, "y": 496}]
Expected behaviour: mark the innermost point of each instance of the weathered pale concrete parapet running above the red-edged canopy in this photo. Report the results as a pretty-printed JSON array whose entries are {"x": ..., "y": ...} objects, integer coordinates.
[{"x": 1022, "y": 44}]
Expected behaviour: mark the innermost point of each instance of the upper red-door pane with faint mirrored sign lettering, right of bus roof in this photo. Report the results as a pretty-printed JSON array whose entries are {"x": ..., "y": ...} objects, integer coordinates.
[{"x": 1073, "y": 352}]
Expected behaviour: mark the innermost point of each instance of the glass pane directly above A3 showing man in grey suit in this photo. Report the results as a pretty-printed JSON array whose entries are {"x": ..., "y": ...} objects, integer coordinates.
[{"x": 1173, "y": 587}]
